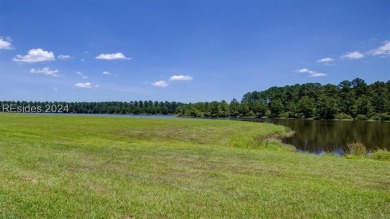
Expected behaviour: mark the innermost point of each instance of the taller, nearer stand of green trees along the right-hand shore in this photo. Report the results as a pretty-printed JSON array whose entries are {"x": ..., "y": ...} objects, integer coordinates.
[{"x": 348, "y": 100}]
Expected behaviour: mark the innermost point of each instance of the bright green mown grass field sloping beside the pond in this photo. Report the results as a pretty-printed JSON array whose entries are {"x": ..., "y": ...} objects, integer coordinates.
[{"x": 54, "y": 166}]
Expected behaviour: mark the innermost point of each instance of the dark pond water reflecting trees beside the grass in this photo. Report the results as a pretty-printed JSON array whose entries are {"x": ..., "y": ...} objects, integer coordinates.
[{"x": 320, "y": 136}]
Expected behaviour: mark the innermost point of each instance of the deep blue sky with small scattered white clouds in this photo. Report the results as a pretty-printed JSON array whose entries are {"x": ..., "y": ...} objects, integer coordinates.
[{"x": 186, "y": 51}]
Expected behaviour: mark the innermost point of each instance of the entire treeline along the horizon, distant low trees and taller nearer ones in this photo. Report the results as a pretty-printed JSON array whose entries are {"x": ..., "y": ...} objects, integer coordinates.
[{"x": 348, "y": 100}]
